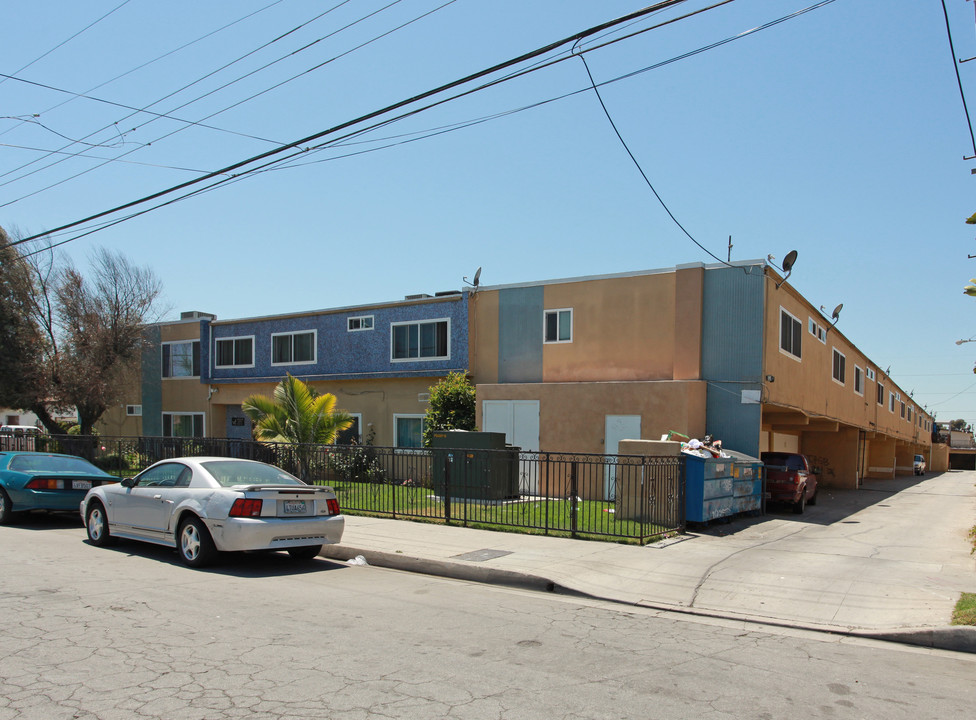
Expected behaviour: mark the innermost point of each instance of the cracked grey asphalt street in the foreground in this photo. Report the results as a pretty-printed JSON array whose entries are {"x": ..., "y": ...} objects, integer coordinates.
[{"x": 128, "y": 632}]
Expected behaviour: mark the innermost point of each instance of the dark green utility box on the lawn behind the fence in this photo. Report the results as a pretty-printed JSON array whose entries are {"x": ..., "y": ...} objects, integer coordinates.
[{"x": 475, "y": 465}]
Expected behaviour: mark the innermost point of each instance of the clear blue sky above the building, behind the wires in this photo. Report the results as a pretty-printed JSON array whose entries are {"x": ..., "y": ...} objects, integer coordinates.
[{"x": 840, "y": 134}]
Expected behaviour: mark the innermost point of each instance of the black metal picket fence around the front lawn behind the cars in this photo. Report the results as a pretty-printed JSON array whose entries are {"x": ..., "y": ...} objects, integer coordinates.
[{"x": 614, "y": 497}]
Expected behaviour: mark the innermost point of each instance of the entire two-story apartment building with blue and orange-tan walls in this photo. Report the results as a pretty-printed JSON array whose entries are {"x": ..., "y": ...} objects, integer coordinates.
[{"x": 572, "y": 365}]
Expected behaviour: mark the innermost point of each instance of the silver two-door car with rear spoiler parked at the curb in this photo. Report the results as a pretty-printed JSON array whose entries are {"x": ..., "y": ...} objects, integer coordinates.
[{"x": 206, "y": 505}]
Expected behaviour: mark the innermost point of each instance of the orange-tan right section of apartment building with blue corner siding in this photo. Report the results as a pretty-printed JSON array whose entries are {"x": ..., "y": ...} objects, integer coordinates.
[{"x": 729, "y": 351}]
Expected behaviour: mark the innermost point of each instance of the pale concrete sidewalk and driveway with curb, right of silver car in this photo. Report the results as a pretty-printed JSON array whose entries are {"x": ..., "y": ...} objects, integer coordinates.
[{"x": 886, "y": 561}]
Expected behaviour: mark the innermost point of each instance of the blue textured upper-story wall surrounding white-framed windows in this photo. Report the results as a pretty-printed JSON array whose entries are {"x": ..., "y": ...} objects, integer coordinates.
[{"x": 341, "y": 353}]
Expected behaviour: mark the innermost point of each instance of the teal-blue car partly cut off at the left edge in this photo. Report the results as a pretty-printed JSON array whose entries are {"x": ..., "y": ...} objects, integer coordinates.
[{"x": 45, "y": 481}]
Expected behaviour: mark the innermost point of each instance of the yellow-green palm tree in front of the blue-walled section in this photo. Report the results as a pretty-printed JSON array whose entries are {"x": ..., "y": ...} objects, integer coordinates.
[{"x": 299, "y": 416}]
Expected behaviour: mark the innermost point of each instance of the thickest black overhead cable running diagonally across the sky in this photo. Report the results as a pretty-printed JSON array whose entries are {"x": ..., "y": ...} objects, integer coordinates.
[{"x": 363, "y": 118}]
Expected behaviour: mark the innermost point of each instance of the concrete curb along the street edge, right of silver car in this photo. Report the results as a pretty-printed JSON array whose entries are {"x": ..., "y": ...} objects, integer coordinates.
[{"x": 957, "y": 639}]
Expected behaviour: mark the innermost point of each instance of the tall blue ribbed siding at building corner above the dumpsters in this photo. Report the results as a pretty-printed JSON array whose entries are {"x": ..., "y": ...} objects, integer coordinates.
[{"x": 732, "y": 347}]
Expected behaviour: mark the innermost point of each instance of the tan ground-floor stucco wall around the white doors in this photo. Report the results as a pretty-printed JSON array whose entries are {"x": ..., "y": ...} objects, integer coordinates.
[{"x": 572, "y": 416}]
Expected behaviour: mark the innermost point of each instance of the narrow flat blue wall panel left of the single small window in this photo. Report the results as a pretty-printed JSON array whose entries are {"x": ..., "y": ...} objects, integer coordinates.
[{"x": 520, "y": 334}]
